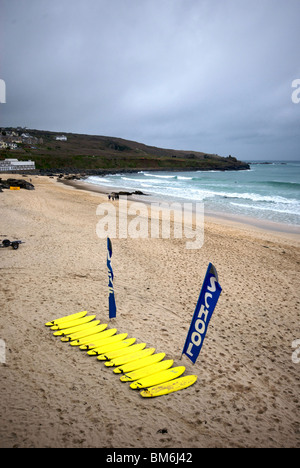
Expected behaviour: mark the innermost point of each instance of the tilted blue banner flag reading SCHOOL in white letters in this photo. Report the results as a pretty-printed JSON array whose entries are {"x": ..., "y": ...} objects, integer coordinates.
[{"x": 206, "y": 304}]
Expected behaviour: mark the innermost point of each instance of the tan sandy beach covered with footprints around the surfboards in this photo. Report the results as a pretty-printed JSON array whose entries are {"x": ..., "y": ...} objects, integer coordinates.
[{"x": 52, "y": 395}]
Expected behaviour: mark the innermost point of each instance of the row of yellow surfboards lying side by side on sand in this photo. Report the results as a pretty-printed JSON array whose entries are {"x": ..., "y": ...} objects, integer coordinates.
[{"x": 140, "y": 366}]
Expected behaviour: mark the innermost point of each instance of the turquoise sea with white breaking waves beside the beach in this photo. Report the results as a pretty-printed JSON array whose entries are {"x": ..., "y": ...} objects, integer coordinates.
[{"x": 268, "y": 191}]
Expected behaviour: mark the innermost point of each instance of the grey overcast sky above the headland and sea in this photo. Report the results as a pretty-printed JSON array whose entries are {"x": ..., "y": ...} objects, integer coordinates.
[{"x": 206, "y": 75}]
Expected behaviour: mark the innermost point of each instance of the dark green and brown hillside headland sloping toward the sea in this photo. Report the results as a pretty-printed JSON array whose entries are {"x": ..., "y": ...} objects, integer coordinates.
[{"x": 92, "y": 153}]
